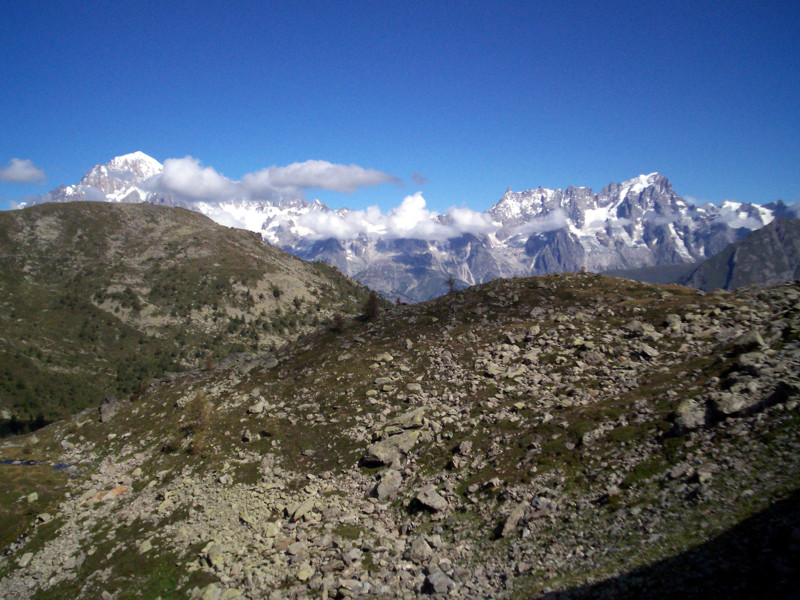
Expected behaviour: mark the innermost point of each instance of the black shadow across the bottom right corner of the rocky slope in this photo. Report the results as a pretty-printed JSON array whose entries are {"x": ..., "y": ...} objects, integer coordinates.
[{"x": 759, "y": 558}]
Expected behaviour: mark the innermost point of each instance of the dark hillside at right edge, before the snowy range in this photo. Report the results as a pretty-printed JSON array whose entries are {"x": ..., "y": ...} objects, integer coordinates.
[{"x": 768, "y": 256}]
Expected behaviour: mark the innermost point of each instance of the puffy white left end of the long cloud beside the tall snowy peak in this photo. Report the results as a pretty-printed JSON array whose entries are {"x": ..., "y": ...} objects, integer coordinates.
[{"x": 189, "y": 180}]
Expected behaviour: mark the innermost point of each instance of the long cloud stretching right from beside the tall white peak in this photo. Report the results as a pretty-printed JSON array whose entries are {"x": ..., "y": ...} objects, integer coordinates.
[{"x": 189, "y": 180}]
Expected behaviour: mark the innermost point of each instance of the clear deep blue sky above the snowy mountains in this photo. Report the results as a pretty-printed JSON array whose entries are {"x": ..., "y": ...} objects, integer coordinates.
[{"x": 473, "y": 96}]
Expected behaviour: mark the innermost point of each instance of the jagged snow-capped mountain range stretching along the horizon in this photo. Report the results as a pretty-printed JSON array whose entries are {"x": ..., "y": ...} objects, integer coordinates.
[{"x": 411, "y": 253}]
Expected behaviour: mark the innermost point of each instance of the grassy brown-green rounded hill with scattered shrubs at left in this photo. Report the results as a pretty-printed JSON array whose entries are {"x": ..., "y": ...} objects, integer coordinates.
[{"x": 96, "y": 297}]
